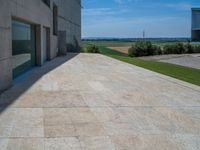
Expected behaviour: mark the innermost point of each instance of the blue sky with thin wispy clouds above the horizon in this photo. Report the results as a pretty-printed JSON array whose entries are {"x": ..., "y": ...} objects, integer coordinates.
[{"x": 128, "y": 18}]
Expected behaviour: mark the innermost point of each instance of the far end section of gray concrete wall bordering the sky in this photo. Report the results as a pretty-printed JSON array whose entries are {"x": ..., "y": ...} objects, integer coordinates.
[{"x": 70, "y": 21}]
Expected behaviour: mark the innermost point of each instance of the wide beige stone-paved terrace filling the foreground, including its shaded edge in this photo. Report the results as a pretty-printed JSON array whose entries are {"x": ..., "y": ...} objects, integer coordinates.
[{"x": 92, "y": 102}]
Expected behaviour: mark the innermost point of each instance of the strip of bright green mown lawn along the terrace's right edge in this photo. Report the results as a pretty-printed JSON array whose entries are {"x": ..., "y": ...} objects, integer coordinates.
[{"x": 179, "y": 72}]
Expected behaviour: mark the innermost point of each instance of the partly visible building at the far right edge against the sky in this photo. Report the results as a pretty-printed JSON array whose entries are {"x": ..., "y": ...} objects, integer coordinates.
[{"x": 196, "y": 24}]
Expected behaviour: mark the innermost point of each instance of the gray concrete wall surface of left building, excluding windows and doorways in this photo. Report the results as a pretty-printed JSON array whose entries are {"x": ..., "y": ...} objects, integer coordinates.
[{"x": 38, "y": 13}]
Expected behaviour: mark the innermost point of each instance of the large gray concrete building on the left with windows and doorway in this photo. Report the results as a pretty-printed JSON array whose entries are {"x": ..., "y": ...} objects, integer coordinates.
[{"x": 35, "y": 31}]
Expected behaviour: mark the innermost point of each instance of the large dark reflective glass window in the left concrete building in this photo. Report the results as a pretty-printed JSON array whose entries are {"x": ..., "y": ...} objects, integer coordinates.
[{"x": 23, "y": 47}]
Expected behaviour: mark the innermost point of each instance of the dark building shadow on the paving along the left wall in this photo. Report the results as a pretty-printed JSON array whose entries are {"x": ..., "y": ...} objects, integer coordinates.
[{"x": 22, "y": 83}]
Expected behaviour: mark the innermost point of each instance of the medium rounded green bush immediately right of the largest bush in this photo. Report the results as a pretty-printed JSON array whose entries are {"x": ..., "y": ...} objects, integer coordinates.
[{"x": 176, "y": 48}]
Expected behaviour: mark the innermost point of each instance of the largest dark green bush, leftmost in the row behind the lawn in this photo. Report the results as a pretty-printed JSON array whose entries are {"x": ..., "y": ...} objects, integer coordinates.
[{"x": 144, "y": 48}]
